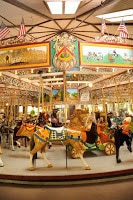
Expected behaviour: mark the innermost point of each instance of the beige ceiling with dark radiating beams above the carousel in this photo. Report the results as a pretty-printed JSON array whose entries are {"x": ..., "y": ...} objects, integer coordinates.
[{"x": 42, "y": 26}]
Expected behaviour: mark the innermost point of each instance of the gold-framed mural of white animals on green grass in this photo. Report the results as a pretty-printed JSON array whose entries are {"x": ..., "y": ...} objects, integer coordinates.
[{"x": 106, "y": 55}]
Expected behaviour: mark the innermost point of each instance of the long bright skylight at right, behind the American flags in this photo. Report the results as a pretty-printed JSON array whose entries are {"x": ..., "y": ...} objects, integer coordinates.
[{"x": 125, "y": 15}]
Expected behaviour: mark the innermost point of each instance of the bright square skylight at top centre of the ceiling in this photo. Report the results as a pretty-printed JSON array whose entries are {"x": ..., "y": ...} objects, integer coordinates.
[{"x": 63, "y": 6}]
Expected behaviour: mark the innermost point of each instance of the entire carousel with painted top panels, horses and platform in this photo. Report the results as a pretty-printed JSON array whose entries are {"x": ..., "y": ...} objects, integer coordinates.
[{"x": 54, "y": 106}]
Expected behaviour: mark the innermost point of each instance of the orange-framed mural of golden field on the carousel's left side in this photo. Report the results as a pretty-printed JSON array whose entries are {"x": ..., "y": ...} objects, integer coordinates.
[{"x": 25, "y": 56}]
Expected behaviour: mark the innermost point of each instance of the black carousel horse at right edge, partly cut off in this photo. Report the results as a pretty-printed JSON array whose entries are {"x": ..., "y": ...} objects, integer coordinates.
[{"x": 123, "y": 134}]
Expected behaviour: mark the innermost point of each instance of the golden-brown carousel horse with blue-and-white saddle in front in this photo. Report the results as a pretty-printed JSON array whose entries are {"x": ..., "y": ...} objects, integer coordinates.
[{"x": 74, "y": 134}]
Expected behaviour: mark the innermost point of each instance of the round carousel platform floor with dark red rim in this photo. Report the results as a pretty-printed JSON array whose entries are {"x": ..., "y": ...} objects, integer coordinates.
[{"x": 65, "y": 170}]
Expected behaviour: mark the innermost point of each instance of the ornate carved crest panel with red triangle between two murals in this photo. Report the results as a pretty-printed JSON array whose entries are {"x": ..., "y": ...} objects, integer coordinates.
[{"x": 65, "y": 52}]
